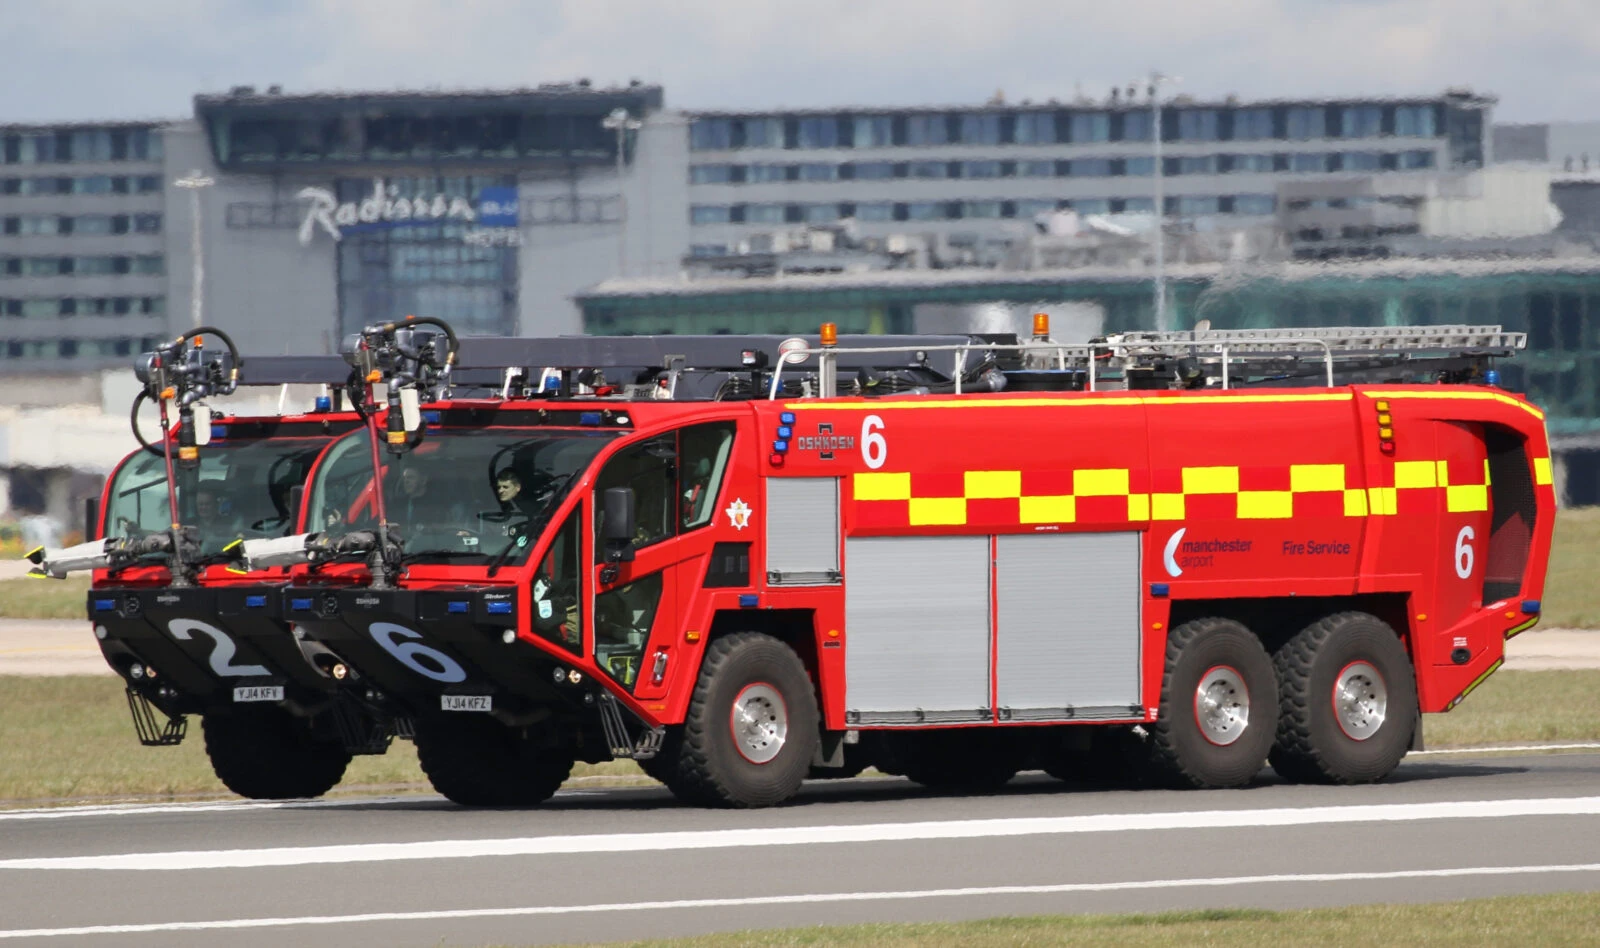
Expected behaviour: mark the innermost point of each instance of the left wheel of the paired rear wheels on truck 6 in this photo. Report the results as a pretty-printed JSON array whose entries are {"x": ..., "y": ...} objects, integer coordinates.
[{"x": 1218, "y": 712}]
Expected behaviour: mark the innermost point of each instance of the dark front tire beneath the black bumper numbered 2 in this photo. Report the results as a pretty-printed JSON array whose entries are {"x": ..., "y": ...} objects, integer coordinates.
[{"x": 268, "y": 753}]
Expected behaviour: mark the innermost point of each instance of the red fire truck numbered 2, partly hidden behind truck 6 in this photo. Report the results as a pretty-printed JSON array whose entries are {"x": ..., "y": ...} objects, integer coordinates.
[{"x": 186, "y": 629}]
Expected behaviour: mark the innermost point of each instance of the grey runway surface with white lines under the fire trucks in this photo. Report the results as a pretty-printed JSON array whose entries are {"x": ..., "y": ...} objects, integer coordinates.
[{"x": 628, "y": 864}]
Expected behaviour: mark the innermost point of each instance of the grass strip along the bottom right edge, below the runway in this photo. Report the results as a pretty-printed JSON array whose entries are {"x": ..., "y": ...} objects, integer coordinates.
[{"x": 1510, "y": 920}]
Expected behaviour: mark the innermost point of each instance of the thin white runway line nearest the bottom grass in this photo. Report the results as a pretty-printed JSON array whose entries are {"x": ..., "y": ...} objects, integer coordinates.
[{"x": 558, "y": 910}]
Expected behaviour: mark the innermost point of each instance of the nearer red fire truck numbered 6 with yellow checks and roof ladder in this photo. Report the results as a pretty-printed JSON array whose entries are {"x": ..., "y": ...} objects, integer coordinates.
[{"x": 945, "y": 558}]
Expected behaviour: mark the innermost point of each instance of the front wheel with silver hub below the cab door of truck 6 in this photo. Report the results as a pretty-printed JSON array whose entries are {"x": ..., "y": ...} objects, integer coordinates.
[{"x": 751, "y": 729}]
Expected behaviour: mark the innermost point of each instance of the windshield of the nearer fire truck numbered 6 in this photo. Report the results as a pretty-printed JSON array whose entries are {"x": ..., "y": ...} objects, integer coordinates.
[{"x": 463, "y": 496}]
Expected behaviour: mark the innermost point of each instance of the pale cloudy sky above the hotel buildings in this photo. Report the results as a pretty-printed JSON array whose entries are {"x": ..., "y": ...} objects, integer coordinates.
[{"x": 86, "y": 60}]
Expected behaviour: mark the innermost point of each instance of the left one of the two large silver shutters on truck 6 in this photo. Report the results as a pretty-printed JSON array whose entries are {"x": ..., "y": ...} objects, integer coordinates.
[{"x": 918, "y": 629}]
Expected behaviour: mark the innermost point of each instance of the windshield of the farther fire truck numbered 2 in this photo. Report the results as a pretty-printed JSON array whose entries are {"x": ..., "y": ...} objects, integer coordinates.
[{"x": 241, "y": 489}]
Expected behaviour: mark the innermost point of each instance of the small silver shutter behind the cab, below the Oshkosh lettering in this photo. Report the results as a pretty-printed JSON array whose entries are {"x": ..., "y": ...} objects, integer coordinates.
[{"x": 802, "y": 531}]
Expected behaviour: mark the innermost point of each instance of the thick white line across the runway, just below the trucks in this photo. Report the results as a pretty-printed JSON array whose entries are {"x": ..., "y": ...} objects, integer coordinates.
[{"x": 766, "y": 837}]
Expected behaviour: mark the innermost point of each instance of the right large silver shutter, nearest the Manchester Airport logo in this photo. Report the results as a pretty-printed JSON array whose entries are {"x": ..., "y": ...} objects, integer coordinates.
[{"x": 1068, "y": 625}]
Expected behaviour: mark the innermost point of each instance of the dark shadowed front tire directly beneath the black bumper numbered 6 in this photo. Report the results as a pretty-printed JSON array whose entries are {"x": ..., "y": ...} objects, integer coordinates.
[{"x": 478, "y": 761}]
